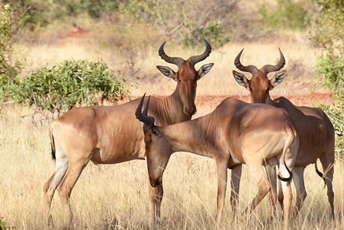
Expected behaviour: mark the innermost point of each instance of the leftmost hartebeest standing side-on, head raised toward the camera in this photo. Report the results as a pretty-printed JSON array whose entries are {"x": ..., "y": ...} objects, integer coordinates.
[{"x": 109, "y": 135}]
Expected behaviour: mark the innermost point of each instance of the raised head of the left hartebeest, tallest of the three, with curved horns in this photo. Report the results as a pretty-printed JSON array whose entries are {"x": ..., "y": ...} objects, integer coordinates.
[{"x": 186, "y": 76}]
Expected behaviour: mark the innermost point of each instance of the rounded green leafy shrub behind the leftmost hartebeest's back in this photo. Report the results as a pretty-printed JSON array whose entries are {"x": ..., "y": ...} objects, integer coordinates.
[{"x": 69, "y": 84}]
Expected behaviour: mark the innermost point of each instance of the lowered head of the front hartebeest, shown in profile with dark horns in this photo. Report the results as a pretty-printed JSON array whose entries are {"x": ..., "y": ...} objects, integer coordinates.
[{"x": 158, "y": 150}]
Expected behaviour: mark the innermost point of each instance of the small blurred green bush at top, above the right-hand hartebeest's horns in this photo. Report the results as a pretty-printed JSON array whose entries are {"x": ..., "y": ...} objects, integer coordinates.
[{"x": 287, "y": 14}]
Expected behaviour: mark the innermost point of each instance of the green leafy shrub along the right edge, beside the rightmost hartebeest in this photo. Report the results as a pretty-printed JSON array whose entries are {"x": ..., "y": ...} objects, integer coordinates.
[{"x": 330, "y": 65}]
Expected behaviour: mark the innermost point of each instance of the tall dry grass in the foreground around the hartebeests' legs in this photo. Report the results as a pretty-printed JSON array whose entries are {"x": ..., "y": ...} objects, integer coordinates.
[{"x": 116, "y": 196}]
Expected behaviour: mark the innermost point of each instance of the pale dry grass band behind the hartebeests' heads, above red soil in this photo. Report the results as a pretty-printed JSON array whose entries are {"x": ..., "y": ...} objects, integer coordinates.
[{"x": 140, "y": 61}]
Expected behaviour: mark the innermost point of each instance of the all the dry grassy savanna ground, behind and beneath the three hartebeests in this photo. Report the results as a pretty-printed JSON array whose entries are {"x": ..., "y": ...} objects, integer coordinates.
[{"x": 116, "y": 196}]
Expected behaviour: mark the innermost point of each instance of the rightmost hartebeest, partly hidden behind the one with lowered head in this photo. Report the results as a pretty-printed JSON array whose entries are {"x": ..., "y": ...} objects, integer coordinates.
[{"x": 316, "y": 132}]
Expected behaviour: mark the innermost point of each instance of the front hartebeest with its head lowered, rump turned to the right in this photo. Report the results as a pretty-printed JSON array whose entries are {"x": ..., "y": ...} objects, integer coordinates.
[{"x": 233, "y": 134}]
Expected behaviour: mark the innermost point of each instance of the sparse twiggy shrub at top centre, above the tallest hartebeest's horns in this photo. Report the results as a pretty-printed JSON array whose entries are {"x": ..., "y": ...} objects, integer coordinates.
[{"x": 187, "y": 21}]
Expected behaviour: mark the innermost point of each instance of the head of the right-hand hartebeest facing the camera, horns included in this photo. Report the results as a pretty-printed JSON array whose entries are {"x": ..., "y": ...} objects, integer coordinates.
[{"x": 259, "y": 85}]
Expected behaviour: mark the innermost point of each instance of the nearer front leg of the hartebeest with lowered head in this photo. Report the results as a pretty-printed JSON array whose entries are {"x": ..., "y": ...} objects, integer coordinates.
[{"x": 221, "y": 191}]
